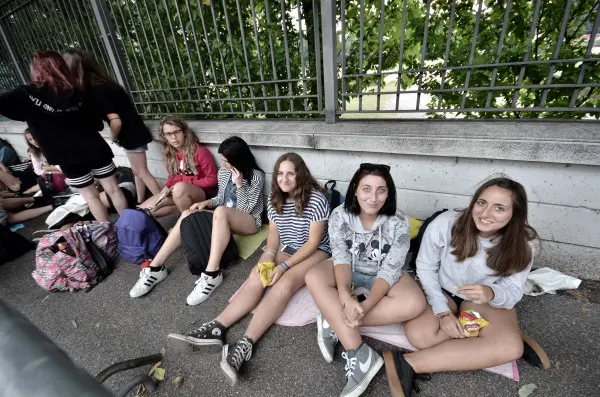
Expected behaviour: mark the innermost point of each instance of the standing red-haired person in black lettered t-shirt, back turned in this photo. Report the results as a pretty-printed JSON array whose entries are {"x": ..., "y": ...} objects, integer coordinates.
[{"x": 66, "y": 126}]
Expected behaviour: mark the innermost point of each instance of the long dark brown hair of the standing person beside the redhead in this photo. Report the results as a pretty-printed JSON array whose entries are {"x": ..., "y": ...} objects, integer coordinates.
[{"x": 85, "y": 69}]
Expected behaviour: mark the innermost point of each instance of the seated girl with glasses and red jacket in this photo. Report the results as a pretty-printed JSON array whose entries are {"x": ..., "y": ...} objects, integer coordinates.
[{"x": 191, "y": 168}]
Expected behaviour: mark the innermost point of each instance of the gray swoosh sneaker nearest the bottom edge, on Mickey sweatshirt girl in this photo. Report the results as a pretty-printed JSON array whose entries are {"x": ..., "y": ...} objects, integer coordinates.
[{"x": 361, "y": 367}]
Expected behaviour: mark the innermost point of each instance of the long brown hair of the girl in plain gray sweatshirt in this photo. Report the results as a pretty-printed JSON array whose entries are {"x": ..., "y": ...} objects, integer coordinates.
[{"x": 512, "y": 252}]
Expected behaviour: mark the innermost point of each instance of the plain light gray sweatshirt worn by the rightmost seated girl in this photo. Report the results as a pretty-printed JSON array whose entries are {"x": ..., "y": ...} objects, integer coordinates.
[{"x": 437, "y": 268}]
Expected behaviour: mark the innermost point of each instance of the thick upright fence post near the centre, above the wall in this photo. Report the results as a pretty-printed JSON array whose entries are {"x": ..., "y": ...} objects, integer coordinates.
[{"x": 329, "y": 60}]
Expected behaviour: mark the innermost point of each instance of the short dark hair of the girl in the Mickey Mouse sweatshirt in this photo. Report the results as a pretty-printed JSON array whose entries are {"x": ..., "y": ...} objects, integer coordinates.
[{"x": 351, "y": 203}]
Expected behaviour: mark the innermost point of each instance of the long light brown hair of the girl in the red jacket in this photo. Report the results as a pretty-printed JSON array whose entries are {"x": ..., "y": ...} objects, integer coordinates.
[{"x": 189, "y": 145}]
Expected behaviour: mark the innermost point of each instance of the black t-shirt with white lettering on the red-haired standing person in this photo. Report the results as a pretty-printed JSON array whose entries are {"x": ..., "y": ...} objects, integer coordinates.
[{"x": 64, "y": 123}]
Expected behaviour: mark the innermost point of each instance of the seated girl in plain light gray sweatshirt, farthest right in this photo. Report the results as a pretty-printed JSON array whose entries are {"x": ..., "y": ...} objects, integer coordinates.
[{"x": 476, "y": 259}]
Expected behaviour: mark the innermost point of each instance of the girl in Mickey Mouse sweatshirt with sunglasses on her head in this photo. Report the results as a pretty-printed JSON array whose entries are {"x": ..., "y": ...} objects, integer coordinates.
[{"x": 369, "y": 243}]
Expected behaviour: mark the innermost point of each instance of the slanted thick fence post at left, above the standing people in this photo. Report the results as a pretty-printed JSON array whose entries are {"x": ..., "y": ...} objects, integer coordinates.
[{"x": 110, "y": 40}]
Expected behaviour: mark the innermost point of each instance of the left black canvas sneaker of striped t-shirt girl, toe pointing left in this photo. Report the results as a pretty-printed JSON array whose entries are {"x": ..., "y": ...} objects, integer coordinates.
[{"x": 209, "y": 338}]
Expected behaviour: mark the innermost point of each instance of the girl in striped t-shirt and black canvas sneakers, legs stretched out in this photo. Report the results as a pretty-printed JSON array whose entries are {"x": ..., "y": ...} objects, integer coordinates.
[{"x": 297, "y": 241}]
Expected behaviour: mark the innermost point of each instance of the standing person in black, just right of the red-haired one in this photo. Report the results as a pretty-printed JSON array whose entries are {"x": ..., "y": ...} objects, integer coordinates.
[{"x": 126, "y": 126}]
